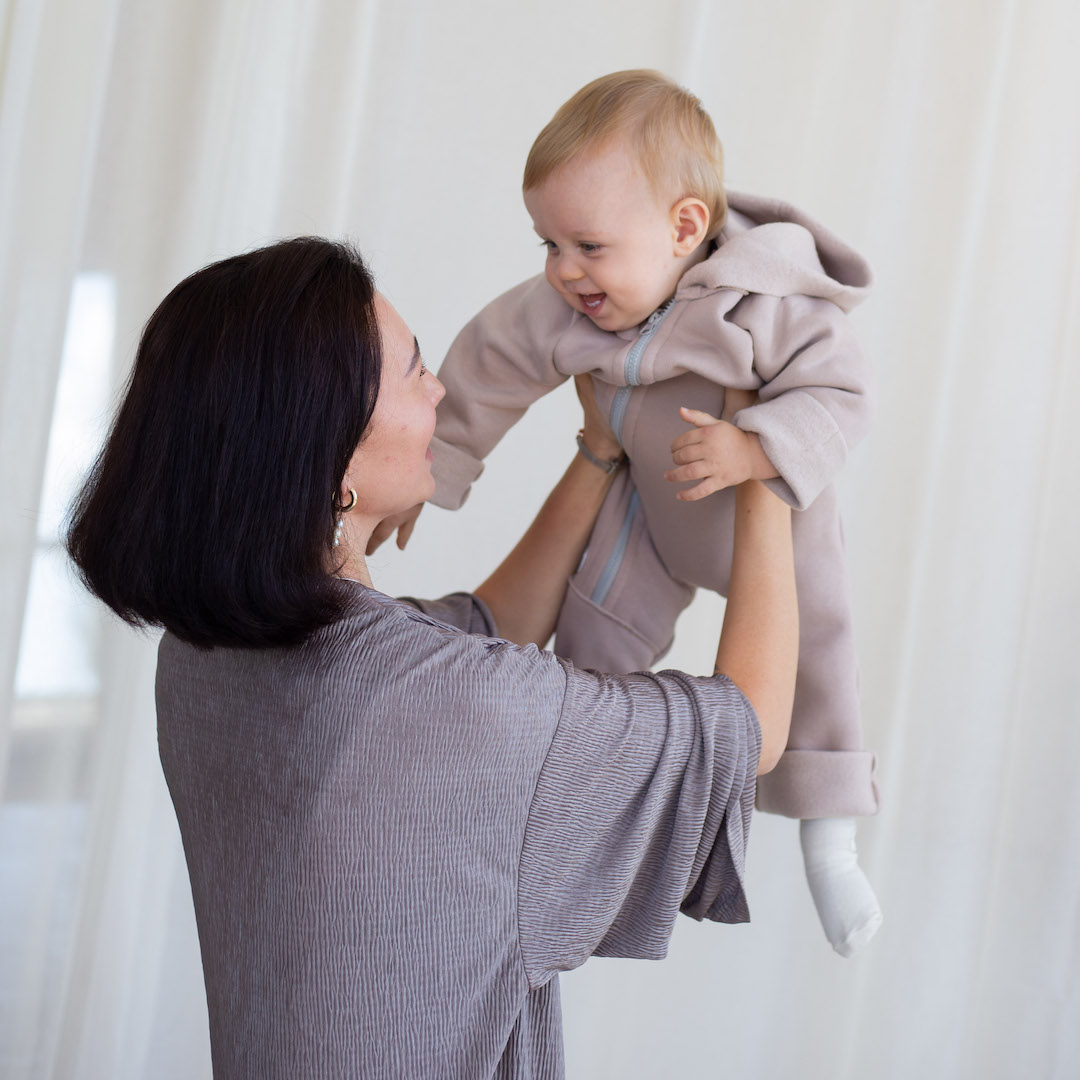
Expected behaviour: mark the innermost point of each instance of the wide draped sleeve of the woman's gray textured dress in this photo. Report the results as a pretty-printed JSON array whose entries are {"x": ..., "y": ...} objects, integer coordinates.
[{"x": 642, "y": 811}]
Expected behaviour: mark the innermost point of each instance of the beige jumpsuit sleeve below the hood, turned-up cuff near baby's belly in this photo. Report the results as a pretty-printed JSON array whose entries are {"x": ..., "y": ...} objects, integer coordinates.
[{"x": 816, "y": 394}]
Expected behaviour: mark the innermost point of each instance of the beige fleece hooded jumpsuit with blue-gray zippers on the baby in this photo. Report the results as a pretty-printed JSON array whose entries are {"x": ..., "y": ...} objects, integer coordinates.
[{"x": 766, "y": 312}]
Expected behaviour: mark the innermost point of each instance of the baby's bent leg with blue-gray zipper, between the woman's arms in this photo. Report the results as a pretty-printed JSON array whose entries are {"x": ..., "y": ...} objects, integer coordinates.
[{"x": 622, "y": 605}]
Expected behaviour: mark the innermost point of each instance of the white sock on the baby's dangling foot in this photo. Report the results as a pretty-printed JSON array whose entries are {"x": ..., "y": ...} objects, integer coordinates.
[{"x": 846, "y": 904}]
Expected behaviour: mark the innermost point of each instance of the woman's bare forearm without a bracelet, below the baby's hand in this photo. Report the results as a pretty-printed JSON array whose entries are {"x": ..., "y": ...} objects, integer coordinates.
[{"x": 760, "y": 642}]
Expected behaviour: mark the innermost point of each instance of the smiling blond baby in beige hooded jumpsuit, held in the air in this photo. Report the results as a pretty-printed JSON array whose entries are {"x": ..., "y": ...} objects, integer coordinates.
[{"x": 668, "y": 290}]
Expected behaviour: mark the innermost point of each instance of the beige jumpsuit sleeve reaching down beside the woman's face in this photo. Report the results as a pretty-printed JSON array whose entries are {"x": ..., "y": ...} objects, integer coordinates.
[{"x": 501, "y": 363}]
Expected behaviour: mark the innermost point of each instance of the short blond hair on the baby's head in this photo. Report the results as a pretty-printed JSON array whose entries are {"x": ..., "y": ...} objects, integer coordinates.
[{"x": 666, "y": 127}]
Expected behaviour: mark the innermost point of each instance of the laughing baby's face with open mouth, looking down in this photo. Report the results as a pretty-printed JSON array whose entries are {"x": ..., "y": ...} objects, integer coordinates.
[{"x": 611, "y": 241}]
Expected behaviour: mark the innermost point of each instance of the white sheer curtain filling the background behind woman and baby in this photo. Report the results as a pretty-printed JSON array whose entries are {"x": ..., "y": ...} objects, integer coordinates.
[{"x": 140, "y": 141}]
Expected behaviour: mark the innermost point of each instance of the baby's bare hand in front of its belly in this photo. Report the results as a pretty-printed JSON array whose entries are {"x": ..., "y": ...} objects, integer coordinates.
[{"x": 717, "y": 453}]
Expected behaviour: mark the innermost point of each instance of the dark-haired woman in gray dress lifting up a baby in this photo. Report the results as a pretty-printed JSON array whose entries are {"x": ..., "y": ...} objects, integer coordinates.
[{"x": 400, "y": 827}]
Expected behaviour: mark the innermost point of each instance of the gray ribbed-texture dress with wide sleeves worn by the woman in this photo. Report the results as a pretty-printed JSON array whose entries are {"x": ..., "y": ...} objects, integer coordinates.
[{"x": 400, "y": 833}]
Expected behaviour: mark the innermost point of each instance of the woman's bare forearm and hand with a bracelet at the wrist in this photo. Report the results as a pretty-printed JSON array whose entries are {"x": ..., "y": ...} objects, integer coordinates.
[{"x": 526, "y": 591}]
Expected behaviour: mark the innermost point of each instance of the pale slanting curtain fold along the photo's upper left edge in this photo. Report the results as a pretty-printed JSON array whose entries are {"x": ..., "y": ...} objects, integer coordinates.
[{"x": 49, "y": 158}]
